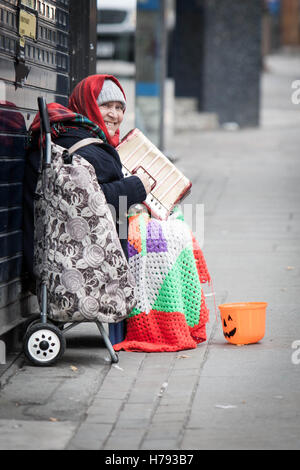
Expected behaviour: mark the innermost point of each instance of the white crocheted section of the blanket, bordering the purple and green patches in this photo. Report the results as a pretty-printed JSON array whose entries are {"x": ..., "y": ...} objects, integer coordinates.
[{"x": 151, "y": 270}]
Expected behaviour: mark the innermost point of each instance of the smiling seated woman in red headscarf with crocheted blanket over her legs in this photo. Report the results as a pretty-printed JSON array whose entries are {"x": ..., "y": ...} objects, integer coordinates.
[{"x": 164, "y": 257}]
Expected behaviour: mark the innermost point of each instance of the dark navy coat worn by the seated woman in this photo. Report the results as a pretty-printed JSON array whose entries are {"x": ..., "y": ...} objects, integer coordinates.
[{"x": 106, "y": 161}]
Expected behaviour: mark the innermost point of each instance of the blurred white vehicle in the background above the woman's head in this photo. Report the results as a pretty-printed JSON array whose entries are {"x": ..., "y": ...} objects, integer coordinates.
[{"x": 116, "y": 25}]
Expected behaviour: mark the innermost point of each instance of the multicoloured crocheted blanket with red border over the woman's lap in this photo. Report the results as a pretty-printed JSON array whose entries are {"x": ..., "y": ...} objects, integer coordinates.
[{"x": 169, "y": 268}]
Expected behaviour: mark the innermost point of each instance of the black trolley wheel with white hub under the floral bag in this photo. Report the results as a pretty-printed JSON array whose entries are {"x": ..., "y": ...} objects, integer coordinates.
[{"x": 44, "y": 344}]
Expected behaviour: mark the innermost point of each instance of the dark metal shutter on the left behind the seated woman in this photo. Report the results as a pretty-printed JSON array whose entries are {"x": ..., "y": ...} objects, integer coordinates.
[{"x": 47, "y": 63}]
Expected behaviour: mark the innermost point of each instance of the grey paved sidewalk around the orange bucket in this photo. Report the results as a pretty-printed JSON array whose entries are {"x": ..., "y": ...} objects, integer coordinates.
[{"x": 218, "y": 396}]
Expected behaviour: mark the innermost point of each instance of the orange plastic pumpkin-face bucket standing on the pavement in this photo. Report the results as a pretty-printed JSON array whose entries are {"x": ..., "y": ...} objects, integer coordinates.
[{"x": 243, "y": 323}]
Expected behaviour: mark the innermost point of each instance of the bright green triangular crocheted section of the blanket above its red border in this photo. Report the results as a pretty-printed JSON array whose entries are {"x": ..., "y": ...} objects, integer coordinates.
[{"x": 181, "y": 290}]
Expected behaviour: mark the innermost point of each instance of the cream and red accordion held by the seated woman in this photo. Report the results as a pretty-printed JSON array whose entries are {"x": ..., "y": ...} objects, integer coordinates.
[{"x": 168, "y": 185}]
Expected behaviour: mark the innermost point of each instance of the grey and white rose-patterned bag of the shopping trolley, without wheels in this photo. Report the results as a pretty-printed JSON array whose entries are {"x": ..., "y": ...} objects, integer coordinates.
[{"x": 77, "y": 252}]
